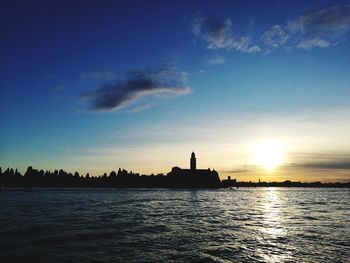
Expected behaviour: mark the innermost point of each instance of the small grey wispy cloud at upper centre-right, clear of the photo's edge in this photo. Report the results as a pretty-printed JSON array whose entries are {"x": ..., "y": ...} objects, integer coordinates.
[{"x": 219, "y": 35}]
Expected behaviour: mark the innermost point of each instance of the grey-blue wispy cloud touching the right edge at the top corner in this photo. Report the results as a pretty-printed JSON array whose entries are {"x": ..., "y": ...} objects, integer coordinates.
[{"x": 319, "y": 28}]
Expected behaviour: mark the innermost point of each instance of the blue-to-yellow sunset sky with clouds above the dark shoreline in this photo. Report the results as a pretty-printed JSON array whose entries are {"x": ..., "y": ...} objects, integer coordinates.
[{"x": 91, "y": 86}]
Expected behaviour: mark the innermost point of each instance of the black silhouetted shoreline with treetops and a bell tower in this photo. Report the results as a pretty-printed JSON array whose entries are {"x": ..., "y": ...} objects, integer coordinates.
[{"x": 176, "y": 178}]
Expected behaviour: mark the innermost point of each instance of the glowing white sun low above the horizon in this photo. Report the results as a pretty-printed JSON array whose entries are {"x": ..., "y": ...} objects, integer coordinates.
[{"x": 268, "y": 153}]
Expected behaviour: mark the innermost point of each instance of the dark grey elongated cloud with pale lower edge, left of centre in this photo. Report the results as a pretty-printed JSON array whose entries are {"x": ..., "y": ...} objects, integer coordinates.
[{"x": 138, "y": 87}]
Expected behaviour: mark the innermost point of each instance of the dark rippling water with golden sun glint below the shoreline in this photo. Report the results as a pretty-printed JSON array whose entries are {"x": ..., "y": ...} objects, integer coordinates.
[{"x": 162, "y": 225}]
